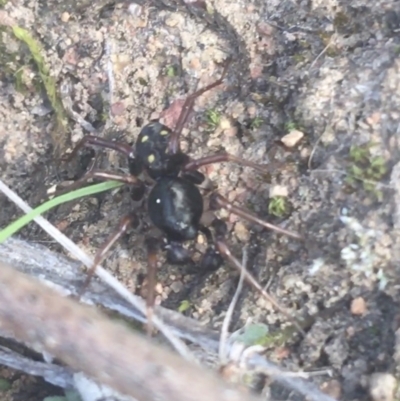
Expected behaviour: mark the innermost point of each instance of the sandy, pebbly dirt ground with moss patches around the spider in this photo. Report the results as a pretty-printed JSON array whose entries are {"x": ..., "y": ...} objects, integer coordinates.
[{"x": 329, "y": 70}]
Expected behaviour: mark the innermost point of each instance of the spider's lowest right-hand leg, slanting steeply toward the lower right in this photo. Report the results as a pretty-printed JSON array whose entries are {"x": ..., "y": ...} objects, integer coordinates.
[{"x": 222, "y": 247}]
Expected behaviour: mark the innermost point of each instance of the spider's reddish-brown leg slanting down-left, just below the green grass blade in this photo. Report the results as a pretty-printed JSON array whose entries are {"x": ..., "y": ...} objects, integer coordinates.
[{"x": 127, "y": 221}]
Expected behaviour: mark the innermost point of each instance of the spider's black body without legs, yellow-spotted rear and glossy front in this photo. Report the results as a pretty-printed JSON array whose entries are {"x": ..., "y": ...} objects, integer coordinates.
[{"x": 174, "y": 204}]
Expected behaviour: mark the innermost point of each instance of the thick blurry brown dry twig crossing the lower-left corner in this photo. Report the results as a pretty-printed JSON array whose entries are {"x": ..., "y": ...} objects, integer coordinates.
[{"x": 108, "y": 352}]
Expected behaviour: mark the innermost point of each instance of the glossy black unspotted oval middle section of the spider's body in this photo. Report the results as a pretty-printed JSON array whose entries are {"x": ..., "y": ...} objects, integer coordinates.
[{"x": 175, "y": 206}]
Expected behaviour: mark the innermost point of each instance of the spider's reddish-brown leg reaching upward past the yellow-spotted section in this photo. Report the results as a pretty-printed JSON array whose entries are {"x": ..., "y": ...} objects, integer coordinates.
[{"x": 173, "y": 146}]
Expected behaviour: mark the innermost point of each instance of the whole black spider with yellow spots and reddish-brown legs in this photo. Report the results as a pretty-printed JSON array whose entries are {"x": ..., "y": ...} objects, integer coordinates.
[{"x": 175, "y": 203}]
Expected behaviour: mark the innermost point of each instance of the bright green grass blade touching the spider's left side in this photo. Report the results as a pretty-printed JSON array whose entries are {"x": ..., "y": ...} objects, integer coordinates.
[{"x": 79, "y": 193}]
